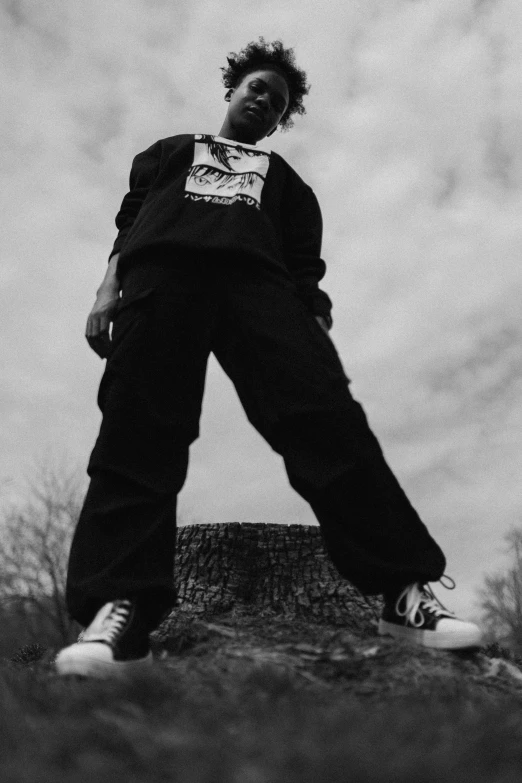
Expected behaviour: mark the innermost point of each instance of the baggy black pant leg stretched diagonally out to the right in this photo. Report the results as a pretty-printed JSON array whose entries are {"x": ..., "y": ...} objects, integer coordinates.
[{"x": 295, "y": 392}]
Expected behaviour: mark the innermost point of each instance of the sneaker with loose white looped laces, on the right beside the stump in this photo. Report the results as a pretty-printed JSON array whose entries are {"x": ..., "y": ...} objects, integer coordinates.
[{"x": 417, "y": 616}]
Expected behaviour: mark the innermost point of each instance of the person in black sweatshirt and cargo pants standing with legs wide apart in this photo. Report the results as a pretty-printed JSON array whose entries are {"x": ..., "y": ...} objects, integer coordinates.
[{"x": 218, "y": 250}]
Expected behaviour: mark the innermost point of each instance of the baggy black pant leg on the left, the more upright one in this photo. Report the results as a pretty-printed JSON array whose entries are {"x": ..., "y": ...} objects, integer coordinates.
[{"x": 150, "y": 397}]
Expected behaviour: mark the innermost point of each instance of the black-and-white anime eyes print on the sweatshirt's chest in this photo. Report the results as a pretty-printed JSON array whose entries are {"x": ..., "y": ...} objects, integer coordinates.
[{"x": 224, "y": 172}]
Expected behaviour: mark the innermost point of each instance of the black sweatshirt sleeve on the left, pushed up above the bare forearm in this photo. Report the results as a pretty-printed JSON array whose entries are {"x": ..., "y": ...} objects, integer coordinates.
[{"x": 144, "y": 170}]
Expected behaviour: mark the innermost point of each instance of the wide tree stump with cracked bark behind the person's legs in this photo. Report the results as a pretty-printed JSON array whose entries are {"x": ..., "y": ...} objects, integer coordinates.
[{"x": 265, "y": 569}]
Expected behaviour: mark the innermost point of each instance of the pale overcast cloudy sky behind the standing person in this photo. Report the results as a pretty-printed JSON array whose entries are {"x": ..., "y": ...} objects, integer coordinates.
[{"x": 411, "y": 142}]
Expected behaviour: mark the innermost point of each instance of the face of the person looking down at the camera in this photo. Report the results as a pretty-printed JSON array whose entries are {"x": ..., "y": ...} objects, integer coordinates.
[{"x": 257, "y": 105}]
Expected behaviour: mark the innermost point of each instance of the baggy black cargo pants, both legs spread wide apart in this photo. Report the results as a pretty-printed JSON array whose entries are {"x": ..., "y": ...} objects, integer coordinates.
[{"x": 293, "y": 388}]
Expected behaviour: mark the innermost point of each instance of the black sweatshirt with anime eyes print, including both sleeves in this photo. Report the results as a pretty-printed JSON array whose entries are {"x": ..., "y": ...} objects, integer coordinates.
[{"x": 207, "y": 194}]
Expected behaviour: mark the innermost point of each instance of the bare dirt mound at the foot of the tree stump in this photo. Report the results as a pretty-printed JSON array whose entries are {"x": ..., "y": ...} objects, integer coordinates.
[{"x": 324, "y": 657}]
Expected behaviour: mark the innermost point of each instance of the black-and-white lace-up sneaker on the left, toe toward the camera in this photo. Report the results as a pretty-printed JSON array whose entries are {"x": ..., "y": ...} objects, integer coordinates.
[{"x": 116, "y": 643}]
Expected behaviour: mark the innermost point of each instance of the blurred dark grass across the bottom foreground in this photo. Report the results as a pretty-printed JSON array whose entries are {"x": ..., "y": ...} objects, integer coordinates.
[{"x": 199, "y": 724}]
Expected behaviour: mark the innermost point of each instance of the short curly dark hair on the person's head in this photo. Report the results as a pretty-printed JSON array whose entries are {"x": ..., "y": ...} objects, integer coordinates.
[{"x": 260, "y": 54}]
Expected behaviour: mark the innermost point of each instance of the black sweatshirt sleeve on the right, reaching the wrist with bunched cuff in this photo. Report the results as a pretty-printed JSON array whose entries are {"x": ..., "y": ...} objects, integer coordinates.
[{"x": 303, "y": 232}]
